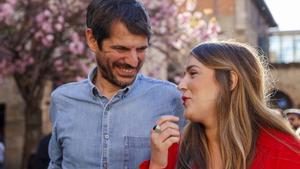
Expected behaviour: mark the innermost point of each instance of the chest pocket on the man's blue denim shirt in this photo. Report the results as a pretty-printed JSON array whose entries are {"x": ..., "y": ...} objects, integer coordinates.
[{"x": 137, "y": 149}]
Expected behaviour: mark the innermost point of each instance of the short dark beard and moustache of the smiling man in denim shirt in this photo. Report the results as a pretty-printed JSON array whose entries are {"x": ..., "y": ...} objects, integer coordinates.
[{"x": 107, "y": 72}]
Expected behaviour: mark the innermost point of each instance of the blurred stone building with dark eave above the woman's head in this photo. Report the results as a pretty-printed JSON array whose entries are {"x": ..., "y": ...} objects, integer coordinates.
[{"x": 242, "y": 20}]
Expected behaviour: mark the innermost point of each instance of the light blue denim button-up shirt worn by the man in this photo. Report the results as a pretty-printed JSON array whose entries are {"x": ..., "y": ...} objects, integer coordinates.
[{"x": 92, "y": 132}]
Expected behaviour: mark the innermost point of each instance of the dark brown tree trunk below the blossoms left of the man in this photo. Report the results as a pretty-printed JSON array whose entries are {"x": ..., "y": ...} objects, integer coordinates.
[{"x": 32, "y": 93}]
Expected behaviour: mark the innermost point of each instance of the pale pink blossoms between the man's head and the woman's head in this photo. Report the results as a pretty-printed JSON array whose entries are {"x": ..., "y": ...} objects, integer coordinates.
[{"x": 177, "y": 26}]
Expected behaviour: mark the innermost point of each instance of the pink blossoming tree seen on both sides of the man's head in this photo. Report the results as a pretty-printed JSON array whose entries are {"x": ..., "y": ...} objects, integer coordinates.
[{"x": 44, "y": 40}]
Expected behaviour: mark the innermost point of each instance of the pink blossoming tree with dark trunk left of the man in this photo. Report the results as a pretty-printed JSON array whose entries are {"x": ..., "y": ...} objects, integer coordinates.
[{"x": 40, "y": 41}]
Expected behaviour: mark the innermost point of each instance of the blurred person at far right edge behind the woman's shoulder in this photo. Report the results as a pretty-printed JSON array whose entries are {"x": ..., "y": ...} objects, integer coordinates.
[{"x": 293, "y": 115}]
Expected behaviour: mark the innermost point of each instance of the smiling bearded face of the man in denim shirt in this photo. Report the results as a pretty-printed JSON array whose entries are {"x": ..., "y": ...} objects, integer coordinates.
[{"x": 121, "y": 56}]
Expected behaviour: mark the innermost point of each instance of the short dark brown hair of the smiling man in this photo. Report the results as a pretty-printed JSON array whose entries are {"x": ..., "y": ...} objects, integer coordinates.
[{"x": 101, "y": 14}]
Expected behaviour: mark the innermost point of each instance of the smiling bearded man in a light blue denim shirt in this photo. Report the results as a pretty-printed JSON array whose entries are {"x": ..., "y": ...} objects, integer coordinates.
[{"x": 104, "y": 121}]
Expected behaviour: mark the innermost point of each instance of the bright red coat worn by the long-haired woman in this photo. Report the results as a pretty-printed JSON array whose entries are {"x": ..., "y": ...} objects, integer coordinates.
[{"x": 274, "y": 150}]
